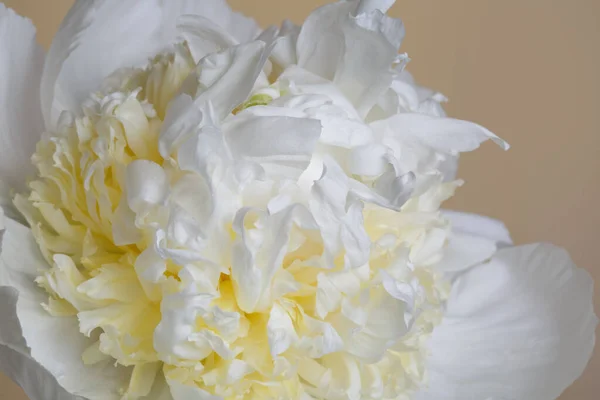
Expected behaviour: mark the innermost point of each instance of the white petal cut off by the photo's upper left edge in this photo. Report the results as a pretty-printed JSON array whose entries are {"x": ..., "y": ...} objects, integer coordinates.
[{"x": 21, "y": 123}]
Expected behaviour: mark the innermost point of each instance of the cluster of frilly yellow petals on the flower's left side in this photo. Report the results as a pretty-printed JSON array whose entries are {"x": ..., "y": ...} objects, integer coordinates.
[{"x": 71, "y": 209}]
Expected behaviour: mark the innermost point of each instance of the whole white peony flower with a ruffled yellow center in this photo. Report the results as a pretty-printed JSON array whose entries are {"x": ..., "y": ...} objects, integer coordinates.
[{"x": 196, "y": 209}]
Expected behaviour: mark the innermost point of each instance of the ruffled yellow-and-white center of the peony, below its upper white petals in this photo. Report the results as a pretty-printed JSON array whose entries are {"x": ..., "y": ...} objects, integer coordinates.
[{"x": 247, "y": 309}]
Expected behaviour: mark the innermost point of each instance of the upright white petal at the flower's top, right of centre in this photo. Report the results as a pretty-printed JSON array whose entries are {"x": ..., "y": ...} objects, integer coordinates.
[{"x": 355, "y": 52}]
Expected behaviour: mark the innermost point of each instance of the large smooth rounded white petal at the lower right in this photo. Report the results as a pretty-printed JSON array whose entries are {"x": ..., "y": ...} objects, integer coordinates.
[{"x": 518, "y": 327}]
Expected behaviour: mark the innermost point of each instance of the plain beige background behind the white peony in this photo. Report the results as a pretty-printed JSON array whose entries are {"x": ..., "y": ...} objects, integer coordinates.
[{"x": 526, "y": 69}]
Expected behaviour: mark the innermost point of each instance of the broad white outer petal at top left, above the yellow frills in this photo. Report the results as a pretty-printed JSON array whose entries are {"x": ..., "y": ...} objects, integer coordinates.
[{"x": 99, "y": 37}]
